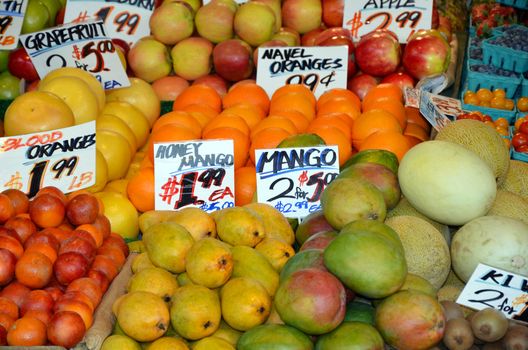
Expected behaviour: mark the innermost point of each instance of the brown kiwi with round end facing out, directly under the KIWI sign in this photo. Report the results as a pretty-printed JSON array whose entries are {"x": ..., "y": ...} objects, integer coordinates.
[{"x": 489, "y": 324}]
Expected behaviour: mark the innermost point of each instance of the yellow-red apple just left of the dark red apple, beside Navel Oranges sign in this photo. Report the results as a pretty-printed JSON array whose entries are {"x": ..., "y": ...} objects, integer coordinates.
[{"x": 191, "y": 57}]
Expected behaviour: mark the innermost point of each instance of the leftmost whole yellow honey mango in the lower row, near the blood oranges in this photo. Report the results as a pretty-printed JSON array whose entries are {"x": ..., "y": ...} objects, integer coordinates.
[{"x": 143, "y": 316}]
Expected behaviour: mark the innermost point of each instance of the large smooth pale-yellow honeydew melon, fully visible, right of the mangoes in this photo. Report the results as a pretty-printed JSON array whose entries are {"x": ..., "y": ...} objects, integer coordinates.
[{"x": 447, "y": 182}]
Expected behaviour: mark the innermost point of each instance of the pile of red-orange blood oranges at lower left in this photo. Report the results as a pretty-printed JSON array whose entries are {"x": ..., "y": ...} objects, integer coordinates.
[{"x": 59, "y": 257}]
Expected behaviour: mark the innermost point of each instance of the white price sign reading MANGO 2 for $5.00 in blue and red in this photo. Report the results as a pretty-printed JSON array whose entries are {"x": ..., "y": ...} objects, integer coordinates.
[{"x": 293, "y": 179}]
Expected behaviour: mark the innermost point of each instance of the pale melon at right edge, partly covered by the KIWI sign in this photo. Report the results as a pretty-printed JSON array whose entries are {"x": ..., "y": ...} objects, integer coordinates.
[{"x": 496, "y": 241}]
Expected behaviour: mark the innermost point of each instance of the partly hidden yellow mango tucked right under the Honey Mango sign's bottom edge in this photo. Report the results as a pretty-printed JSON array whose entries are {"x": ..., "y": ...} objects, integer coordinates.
[{"x": 198, "y": 222}]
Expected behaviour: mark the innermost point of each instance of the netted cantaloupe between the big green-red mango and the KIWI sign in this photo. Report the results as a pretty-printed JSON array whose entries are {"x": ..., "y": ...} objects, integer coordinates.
[{"x": 426, "y": 251}]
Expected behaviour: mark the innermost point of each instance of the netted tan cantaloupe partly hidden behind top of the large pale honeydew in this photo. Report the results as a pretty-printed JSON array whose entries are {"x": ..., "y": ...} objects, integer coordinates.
[{"x": 481, "y": 139}]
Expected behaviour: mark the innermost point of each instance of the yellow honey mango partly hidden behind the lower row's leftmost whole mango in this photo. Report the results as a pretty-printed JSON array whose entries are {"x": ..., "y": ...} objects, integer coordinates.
[{"x": 154, "y": 280}]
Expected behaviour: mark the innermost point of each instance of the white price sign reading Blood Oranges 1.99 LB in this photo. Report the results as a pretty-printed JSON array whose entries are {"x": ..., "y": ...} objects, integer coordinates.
[{"x": 64, "y": 158}]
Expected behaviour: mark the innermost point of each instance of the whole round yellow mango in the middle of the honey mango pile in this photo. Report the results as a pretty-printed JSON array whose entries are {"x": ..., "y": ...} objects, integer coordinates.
[{"x": 209, "y": 262}]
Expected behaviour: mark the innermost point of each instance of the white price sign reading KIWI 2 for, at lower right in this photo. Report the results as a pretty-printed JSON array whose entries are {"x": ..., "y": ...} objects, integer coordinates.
[{"x": 499, "y": 289}]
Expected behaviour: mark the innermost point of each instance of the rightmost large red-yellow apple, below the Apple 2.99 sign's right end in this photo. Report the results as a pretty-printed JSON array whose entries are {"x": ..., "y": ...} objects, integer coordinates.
[{"x": 427, "y": 53}]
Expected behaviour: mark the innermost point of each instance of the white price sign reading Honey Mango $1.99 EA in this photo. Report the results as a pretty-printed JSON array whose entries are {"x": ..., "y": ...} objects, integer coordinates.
[{"x": 195, "y": 173}]
